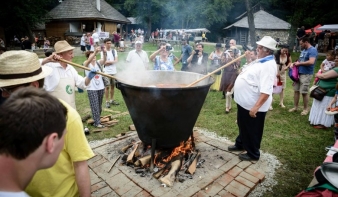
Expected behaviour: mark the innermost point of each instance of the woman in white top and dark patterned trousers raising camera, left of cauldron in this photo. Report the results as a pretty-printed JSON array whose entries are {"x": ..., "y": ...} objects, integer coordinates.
[{"x": 95, "y": 89}]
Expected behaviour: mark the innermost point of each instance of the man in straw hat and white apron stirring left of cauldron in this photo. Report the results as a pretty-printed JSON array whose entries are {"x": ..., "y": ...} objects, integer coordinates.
[{"x": 62, "y": 81}]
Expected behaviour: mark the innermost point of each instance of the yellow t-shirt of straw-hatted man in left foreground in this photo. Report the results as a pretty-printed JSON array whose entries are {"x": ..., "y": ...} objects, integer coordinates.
[{"x": 59, "y": 180}]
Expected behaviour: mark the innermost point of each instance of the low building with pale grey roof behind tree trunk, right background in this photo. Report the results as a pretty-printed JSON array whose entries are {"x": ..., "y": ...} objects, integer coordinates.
[{"x": 265, "y": 25}]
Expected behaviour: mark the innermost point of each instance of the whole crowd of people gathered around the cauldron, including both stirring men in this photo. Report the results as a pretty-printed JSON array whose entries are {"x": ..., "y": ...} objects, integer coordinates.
[{"x": 49, "y": 87}]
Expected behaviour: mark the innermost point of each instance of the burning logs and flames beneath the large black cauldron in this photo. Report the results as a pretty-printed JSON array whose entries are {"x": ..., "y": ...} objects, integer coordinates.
[{"x": 169, "y": 165}]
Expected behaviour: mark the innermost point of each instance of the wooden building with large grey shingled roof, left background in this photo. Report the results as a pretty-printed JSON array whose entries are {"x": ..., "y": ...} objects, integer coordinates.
[{"x": 75, "y": 17}]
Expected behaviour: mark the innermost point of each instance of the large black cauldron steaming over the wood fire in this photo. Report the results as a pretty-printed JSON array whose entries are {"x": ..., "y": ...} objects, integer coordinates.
[{"x": 165, "y": 114}]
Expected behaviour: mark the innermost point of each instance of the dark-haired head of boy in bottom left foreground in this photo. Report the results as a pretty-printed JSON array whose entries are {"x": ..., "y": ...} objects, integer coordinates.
[{"x": 32, "y": 124}]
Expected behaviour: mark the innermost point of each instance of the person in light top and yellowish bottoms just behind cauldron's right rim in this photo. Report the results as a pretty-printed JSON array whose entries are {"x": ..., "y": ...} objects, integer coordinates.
[{"x": 215, "y": 58}]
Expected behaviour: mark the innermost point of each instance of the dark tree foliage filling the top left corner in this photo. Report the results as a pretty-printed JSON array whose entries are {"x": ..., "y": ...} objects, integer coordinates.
[{"x": 19, "y": 16}]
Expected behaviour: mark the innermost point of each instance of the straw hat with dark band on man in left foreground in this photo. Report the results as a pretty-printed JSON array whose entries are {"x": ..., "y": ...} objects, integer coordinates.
[{"x": 19, "y": 67}]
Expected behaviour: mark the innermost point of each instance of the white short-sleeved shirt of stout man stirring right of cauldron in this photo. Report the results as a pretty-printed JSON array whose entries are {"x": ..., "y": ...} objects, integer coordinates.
[{"x": 256, "y": 78}]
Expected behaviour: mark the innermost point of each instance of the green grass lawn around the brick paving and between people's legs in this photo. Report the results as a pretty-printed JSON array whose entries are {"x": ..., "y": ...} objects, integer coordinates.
[{"x": 288, "y": 136}]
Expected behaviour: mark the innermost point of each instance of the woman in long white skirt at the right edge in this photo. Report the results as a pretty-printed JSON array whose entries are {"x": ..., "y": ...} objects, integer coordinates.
[{"x": 327, "y": 81}]
